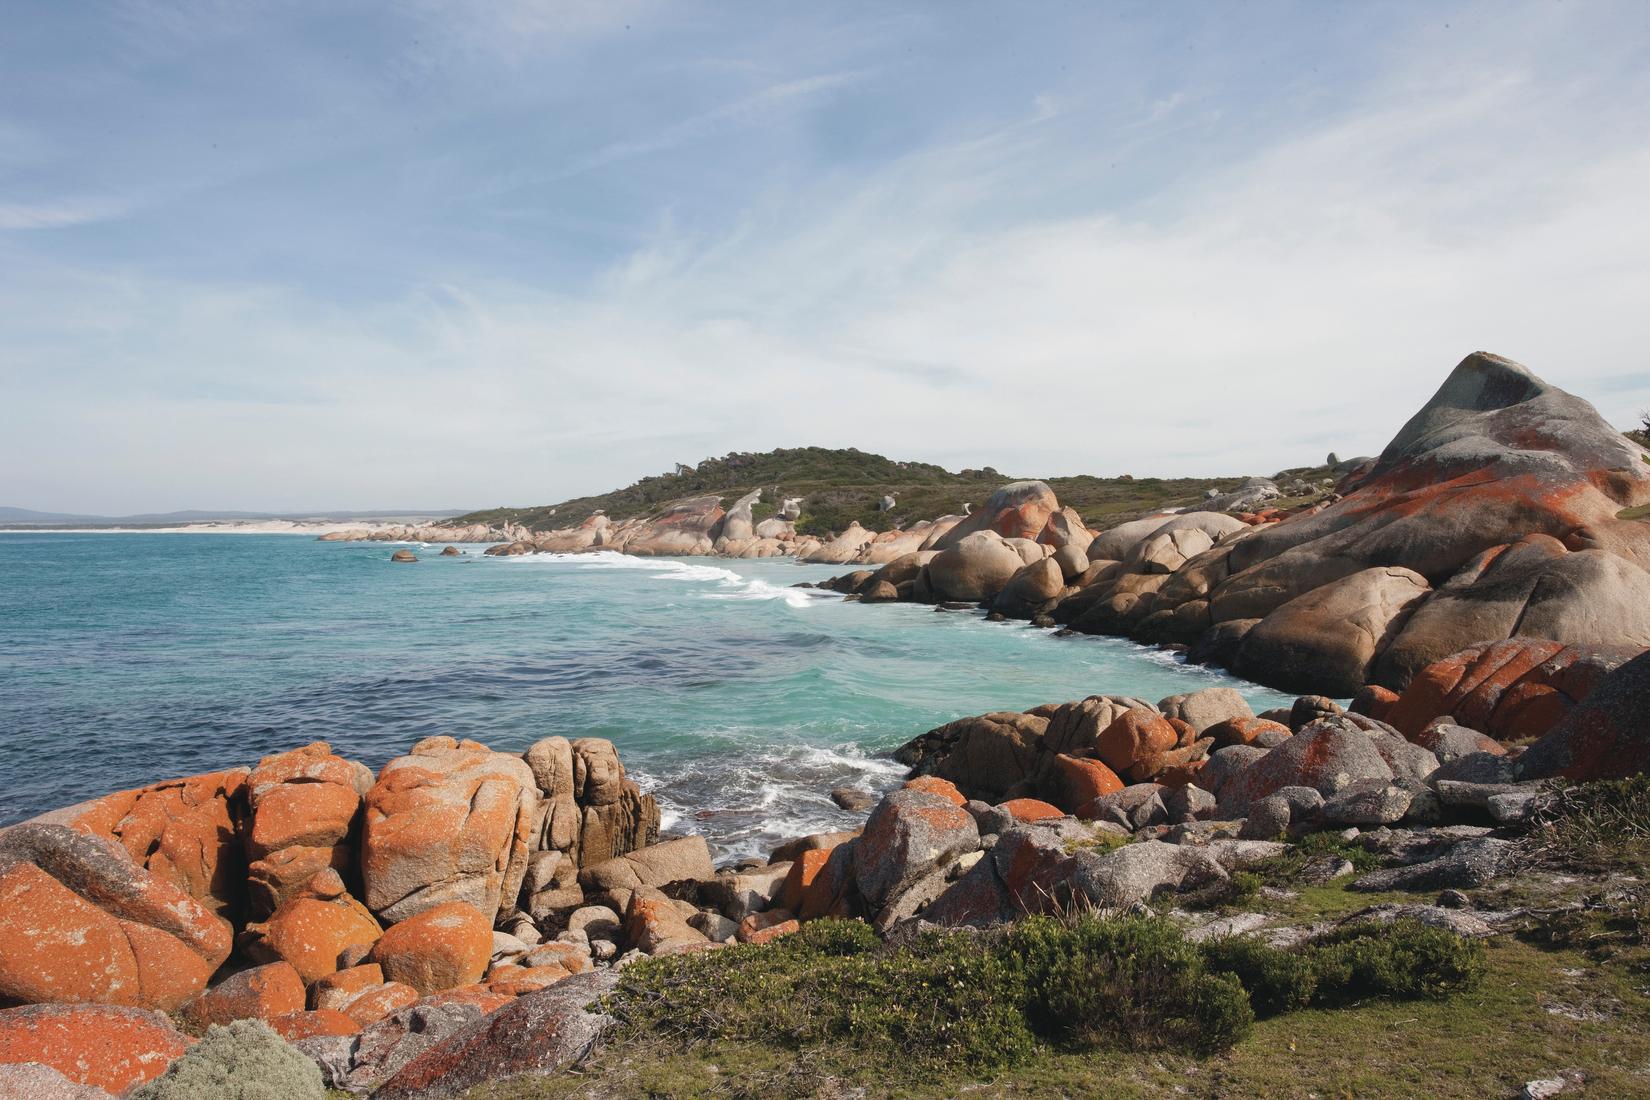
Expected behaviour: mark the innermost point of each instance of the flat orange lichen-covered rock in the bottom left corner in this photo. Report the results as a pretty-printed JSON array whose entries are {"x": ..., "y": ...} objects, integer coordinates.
[{"x": 92, "y": 1045}]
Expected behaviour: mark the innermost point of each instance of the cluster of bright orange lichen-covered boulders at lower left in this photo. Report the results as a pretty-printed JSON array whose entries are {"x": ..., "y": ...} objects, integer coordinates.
[{"x": 318, "y": 898}]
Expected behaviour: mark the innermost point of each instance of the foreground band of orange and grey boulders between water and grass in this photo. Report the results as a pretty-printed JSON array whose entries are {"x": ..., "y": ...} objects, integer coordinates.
[{"x": 458, "y": 918}]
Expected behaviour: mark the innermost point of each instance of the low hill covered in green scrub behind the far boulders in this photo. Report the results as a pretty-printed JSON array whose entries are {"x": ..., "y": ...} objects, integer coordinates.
[{"x": 839, "y": 487}]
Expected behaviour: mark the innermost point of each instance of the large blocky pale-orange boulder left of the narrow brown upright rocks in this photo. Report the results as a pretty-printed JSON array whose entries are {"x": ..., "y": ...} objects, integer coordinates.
[{"x": 451, "y": 822}]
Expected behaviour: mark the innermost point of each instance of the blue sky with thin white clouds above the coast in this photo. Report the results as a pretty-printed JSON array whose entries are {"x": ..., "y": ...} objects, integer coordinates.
[{"x": 285, "y": 255}]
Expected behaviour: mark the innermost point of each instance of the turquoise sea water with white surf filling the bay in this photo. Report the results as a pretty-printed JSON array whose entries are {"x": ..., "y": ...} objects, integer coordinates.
[{"x": 738, "y": 700}]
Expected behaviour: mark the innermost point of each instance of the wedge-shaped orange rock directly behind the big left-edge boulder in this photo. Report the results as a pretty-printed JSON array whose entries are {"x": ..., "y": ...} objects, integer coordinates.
[{"x": 184, "y": 830}]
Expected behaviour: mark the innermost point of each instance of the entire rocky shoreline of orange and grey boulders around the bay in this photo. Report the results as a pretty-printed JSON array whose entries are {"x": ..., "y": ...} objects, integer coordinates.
[{"x": 458, "y": 918}]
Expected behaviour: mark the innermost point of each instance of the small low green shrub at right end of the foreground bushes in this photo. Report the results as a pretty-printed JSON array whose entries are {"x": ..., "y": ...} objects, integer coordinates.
[{"x": 1402, "y": 961}]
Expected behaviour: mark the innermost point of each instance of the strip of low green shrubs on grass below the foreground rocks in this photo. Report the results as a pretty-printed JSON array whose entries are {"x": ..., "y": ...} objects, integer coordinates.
[{"x": 992, "y": 1002}]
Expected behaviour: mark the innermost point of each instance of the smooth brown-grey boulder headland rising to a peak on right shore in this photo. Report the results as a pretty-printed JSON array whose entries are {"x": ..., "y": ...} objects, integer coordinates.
[{"x": 1492, "y": 515}]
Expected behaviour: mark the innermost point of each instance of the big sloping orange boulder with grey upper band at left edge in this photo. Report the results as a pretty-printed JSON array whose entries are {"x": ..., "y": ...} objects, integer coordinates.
[{"x": 82, "y": 923}]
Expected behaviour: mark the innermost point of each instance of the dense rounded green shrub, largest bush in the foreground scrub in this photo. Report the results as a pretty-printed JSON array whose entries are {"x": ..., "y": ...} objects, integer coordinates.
[{"x": 1133, "y": 982}]
